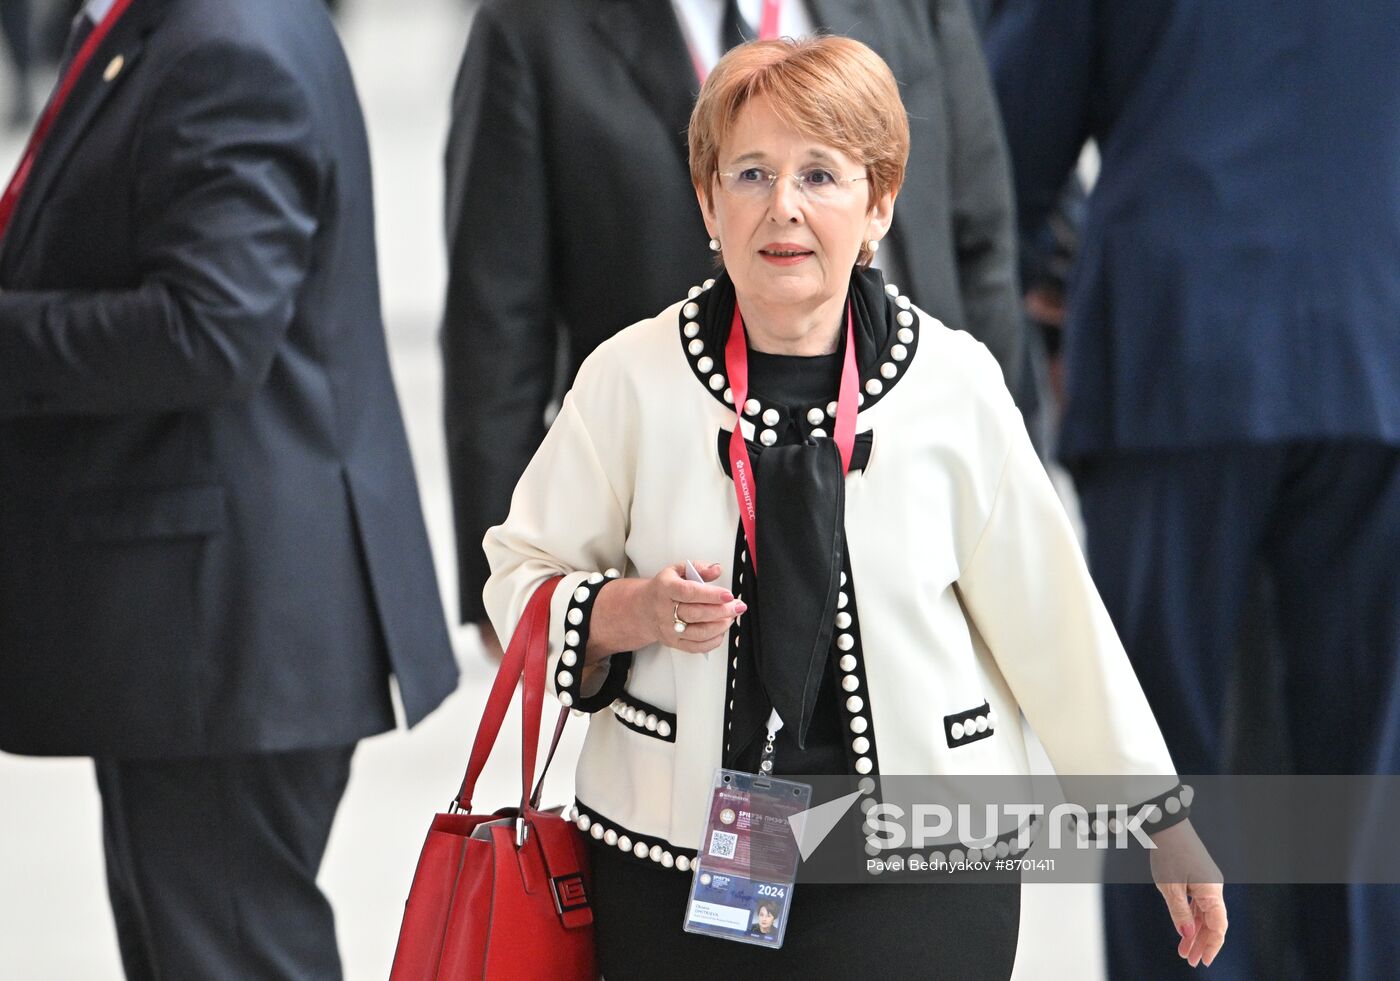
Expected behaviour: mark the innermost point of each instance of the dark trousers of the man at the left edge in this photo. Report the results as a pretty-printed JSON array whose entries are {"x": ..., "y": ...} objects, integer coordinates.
[{"x": 212, "y": 864}]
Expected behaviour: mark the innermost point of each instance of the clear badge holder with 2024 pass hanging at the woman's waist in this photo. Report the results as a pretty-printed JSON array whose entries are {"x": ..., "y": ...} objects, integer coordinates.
[{"x": 747, "y": 864}]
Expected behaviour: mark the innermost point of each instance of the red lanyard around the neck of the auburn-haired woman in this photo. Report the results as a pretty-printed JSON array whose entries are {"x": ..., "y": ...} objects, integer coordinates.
[{"x": 737, "y": 363}]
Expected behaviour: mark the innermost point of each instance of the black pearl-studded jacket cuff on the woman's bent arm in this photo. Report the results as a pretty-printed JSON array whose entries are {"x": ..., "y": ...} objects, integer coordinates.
[{"x": 593, "y": 688}]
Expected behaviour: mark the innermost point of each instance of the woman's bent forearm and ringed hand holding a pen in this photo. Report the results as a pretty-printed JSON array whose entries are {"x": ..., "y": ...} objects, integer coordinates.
[{"x": 636, "y": 614}]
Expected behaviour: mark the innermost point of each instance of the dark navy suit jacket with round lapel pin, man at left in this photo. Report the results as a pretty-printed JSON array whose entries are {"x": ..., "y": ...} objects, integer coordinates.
[{"x": 211, "y": 538}]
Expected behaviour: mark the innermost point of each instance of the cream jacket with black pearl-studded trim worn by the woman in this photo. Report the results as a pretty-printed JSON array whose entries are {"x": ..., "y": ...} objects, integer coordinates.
[{"x": 975, "y": 604}]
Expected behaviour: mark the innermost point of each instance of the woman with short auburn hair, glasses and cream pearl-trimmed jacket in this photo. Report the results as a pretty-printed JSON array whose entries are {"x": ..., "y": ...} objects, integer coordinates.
[{"x": 920, "y": 586}]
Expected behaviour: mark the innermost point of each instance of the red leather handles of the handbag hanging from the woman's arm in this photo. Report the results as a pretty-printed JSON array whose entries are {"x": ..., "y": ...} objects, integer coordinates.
[{"x": 526, "y": 657}]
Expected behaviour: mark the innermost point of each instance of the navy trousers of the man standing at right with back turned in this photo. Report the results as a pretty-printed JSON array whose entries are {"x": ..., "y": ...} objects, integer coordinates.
[{"x": 1177, "y": 542}]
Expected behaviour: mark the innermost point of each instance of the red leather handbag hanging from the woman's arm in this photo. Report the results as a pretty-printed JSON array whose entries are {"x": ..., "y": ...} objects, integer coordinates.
[{"x": 503, "y": 896}]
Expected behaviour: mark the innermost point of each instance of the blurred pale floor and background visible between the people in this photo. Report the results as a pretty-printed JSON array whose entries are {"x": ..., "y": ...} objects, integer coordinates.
[{"x": 55, "y": 922}]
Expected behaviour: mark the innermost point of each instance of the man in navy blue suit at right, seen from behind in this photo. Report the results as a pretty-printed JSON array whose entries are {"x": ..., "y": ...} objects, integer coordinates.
[{"x": 1234, "y": 380}]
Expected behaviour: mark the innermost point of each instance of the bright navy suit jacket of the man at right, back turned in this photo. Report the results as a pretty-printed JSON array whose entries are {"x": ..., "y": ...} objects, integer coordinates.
[{"x": 1240, "y": 268}]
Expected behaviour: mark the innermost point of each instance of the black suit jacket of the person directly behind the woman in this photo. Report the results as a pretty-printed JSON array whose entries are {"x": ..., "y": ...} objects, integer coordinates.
[{"x": 570, "y": 211}]
